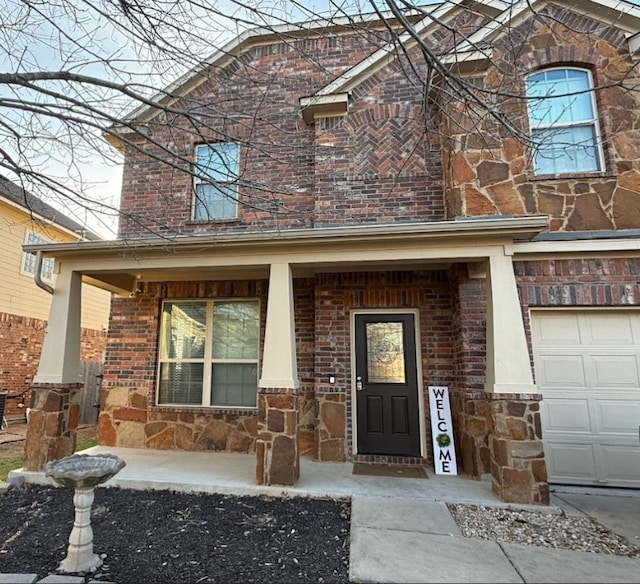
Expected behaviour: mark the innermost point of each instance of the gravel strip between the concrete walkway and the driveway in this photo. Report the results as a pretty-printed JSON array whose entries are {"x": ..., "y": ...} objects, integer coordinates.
[{"x": 553, "y": 530}]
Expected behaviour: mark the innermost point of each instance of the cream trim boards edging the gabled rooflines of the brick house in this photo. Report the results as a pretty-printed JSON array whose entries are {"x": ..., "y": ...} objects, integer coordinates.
[{"x": 334, "y": 96}]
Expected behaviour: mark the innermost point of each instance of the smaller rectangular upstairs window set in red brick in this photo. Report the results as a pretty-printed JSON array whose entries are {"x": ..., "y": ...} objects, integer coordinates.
[{"x": 215, "y": 182}]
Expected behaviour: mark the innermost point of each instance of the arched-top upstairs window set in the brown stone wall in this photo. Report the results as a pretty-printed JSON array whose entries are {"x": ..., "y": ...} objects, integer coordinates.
[{"x": 564, "y": 122}]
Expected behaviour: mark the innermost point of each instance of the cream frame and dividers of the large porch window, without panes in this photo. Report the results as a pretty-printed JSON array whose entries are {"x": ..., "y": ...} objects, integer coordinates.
[{"x": 207, "y": 360}]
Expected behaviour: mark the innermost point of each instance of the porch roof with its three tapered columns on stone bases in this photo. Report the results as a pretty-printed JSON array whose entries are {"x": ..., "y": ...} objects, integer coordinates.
[{"x": 484, "y": 246}]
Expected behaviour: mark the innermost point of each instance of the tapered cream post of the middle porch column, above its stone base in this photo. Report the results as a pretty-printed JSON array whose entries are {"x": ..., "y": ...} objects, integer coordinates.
[{"x": 279, "y": 363}]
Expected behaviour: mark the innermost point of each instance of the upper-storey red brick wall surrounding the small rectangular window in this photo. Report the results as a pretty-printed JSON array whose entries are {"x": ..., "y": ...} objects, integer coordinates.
[{"x": 276, "y": 162}]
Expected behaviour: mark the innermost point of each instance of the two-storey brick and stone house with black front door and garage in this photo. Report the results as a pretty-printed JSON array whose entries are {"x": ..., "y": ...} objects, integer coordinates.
[{"x": 410, "y": 245}]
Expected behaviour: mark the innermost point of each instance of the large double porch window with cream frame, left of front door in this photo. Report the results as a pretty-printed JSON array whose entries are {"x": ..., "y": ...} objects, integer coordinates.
[{"x": 209, "y": 353}]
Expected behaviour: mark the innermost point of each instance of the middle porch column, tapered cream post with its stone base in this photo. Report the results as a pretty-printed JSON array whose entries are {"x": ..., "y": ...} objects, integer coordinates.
[{"x": 278, "y": 460}]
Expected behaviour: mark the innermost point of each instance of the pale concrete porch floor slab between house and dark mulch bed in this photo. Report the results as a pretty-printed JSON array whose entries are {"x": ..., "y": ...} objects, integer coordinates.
[{"x": 226, "y": 473}]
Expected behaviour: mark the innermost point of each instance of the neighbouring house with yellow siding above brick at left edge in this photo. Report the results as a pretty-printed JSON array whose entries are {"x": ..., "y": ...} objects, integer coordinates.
[{"x": 24, "y": 308}]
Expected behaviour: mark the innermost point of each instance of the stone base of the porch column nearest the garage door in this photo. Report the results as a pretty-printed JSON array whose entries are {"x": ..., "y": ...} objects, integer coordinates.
[{"x": 518, "y": 469}]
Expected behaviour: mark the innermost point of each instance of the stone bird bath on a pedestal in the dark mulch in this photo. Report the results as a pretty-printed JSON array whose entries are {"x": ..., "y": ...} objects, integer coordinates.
[{"x": 83, "y": 472}]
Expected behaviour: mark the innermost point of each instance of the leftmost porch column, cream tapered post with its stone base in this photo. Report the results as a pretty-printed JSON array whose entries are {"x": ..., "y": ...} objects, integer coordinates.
[{"x": 51, "y": 433}]
